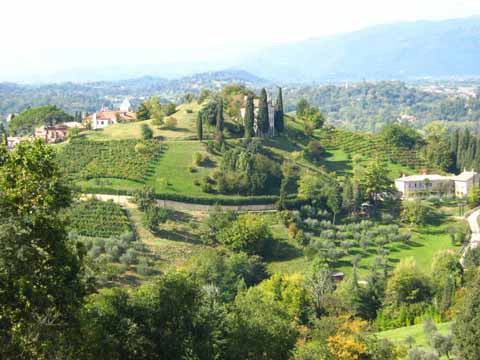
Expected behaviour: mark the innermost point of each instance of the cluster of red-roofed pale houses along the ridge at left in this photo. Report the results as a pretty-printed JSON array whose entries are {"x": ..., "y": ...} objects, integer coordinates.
[{"x": 98, "y": 120}]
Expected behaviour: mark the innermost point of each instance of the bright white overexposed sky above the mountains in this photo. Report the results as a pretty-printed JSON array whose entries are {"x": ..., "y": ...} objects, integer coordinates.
[{"x": 40, "y": 37}]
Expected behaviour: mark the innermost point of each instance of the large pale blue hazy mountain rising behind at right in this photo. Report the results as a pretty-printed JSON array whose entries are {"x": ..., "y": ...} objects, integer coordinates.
[{"x": 412, "y": 50}]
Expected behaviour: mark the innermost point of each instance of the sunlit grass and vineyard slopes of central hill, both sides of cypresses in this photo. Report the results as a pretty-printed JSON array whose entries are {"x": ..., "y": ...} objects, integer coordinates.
[{"x": 168, "y": 166}]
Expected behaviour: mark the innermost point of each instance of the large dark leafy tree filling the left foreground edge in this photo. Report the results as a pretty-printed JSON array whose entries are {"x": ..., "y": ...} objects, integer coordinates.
[{"x": 41, "y": 273}]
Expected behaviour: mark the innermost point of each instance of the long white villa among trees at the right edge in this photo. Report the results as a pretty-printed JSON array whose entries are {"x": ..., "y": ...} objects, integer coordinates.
[{"x": 460, "y": 185}]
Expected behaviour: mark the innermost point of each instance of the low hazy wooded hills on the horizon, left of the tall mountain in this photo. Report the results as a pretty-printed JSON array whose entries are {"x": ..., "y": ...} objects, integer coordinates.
[{"x": 92, "y": 95}]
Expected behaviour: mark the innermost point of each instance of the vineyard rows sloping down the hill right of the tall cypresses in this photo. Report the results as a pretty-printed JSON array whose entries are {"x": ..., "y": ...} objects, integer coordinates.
[{"x": 371, "y": 146}]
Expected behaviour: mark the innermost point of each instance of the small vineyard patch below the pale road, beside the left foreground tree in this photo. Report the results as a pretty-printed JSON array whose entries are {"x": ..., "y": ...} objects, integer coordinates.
[{"x": 97, "y": 218}]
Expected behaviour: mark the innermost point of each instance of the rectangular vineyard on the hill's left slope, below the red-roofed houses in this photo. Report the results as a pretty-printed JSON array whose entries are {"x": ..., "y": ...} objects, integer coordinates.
[{"x": 124, "y": 159}]
